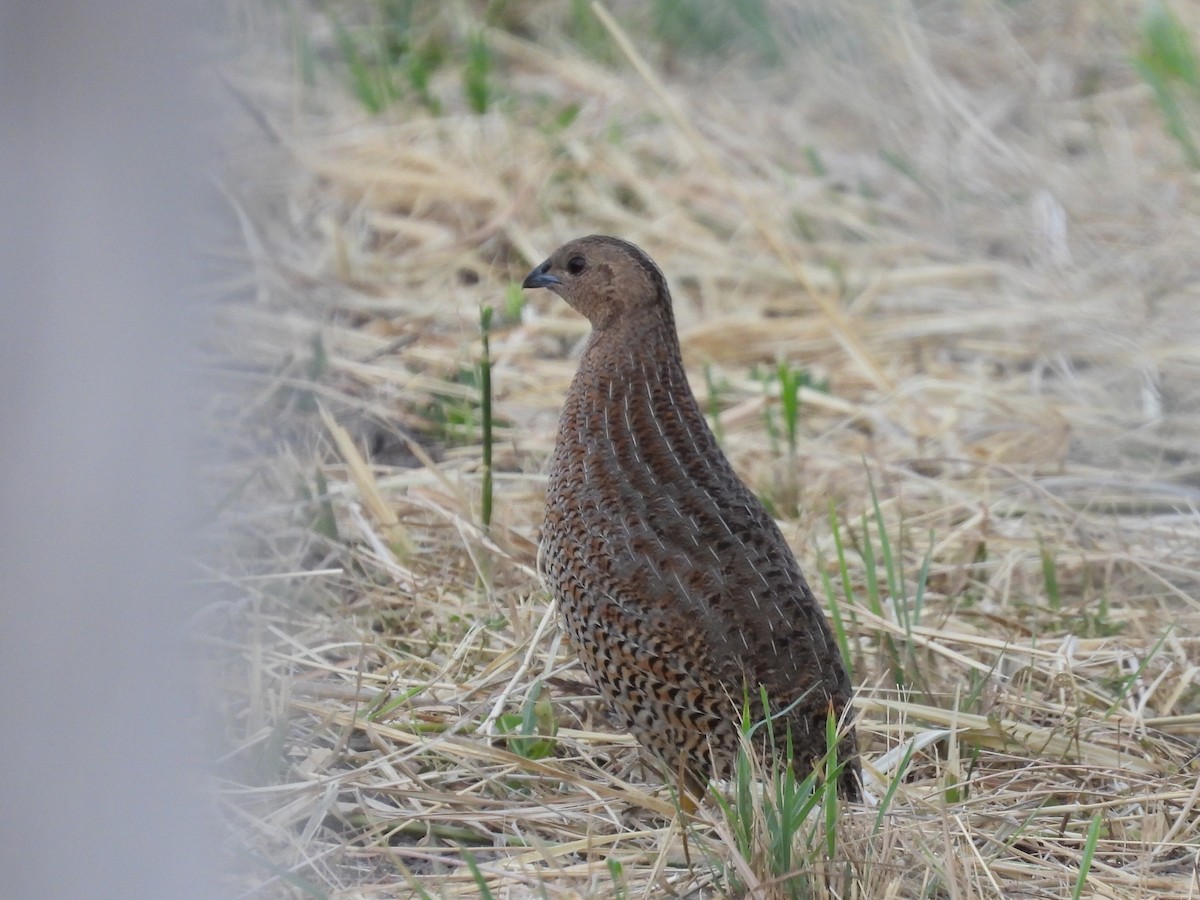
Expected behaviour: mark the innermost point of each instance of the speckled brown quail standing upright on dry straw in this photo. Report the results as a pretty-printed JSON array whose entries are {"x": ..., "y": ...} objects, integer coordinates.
[{"x": 676, "y": 586}]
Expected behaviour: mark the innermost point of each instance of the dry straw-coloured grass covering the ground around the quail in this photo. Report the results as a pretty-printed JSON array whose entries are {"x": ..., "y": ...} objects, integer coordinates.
[{"x": 967, "y": 218}]
